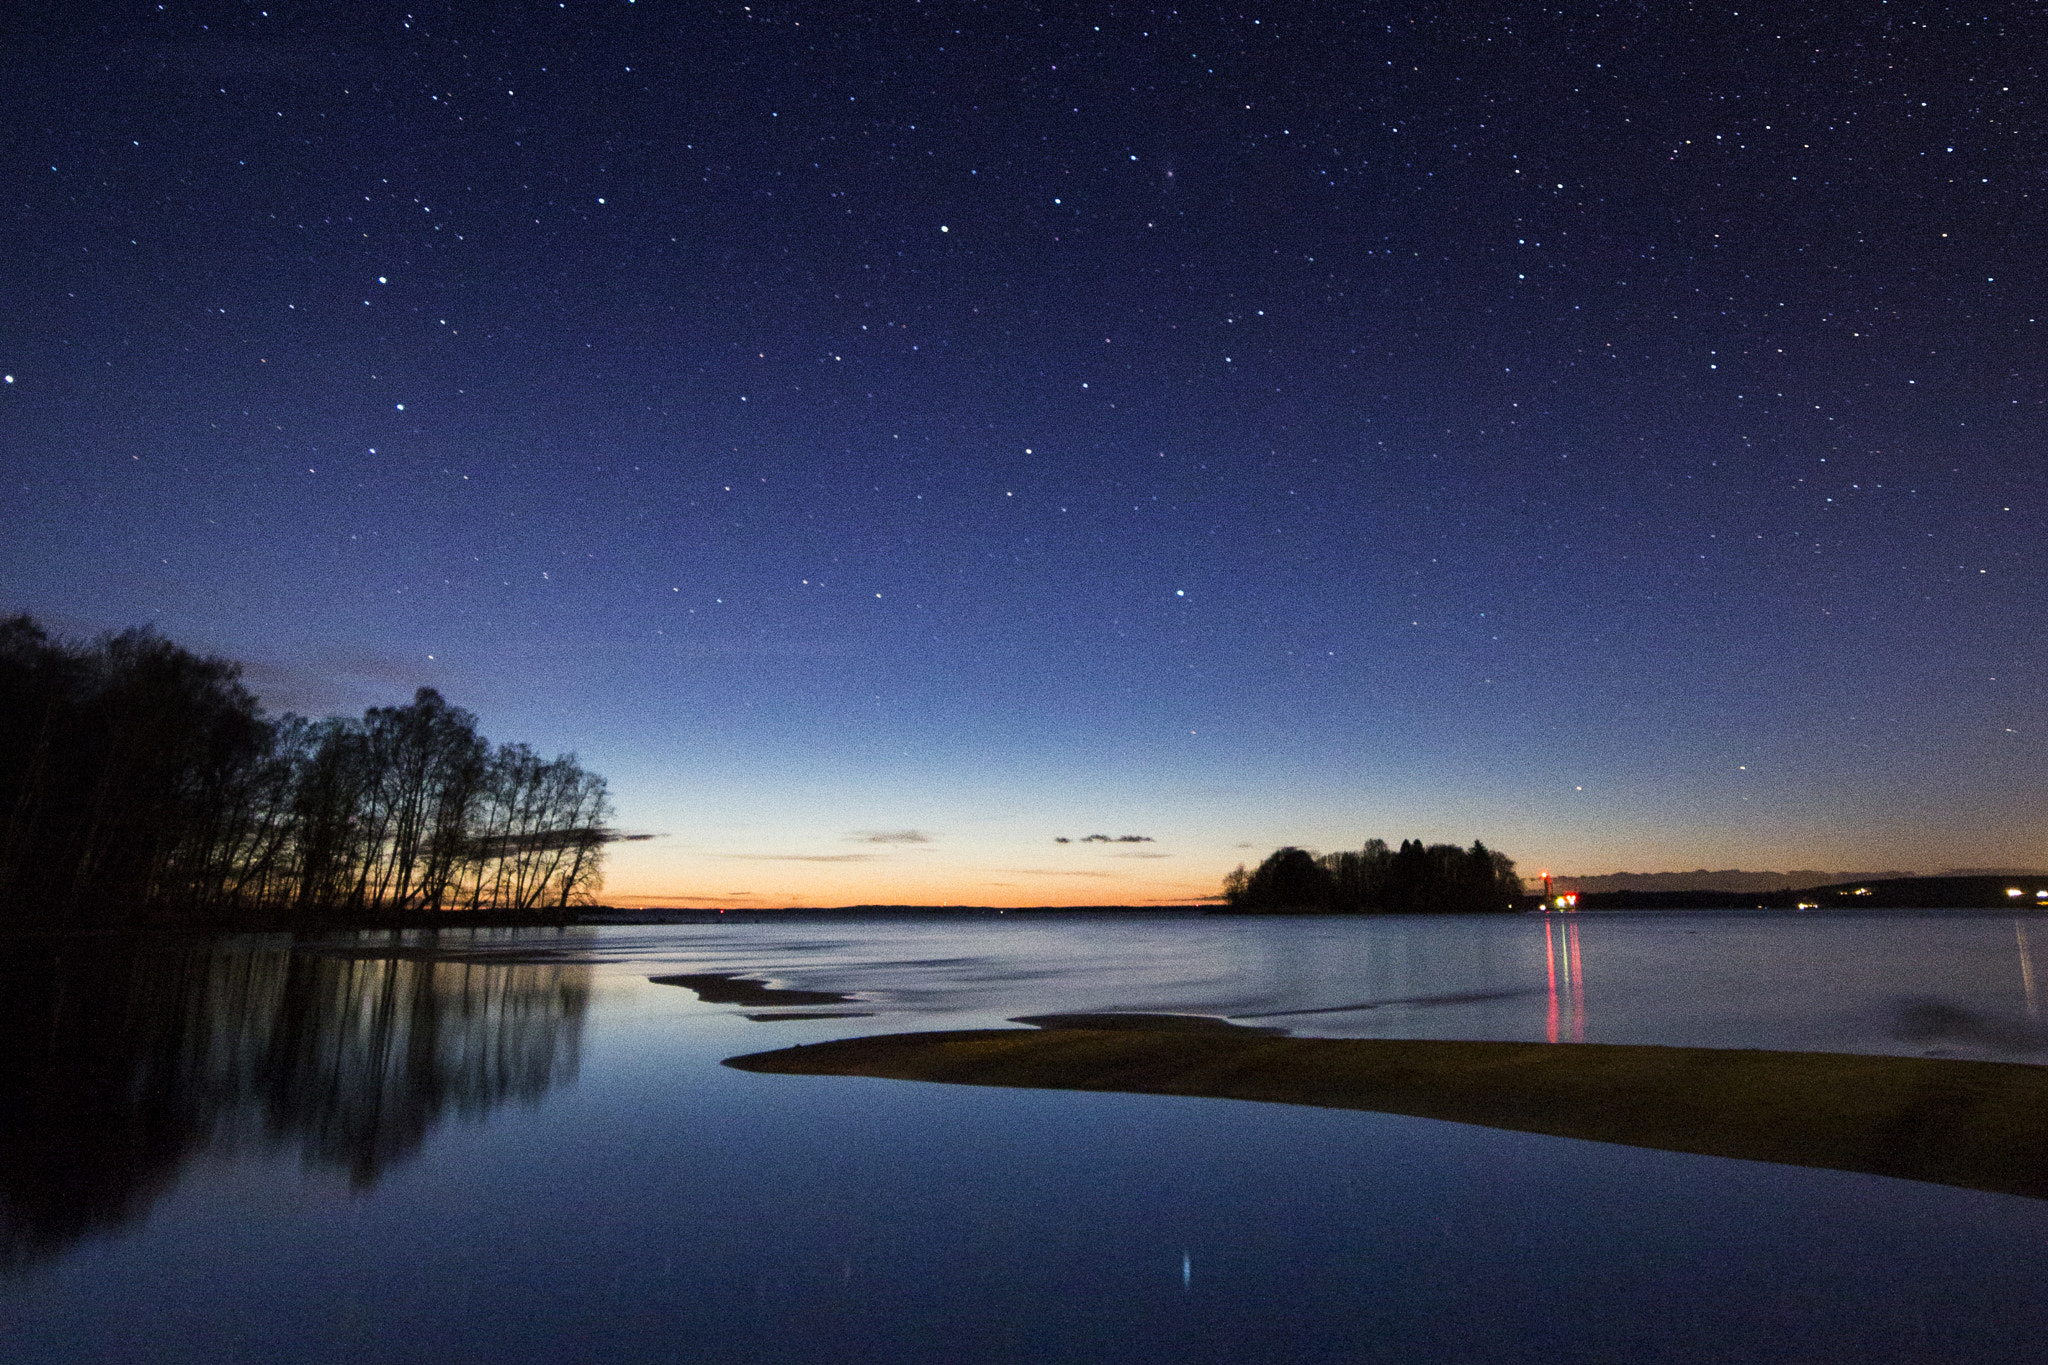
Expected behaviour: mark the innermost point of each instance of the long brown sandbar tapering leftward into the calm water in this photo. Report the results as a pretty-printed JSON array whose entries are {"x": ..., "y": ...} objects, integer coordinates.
[{"x": 1951, "y": 1122}]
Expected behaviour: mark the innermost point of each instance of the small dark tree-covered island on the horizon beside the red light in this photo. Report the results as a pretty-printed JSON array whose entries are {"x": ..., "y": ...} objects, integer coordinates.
[{"x": 1373, "y": 881}]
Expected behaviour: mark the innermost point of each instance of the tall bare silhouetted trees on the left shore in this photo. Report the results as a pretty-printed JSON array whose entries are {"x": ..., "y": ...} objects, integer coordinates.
[{"x": 144, "y": 783}]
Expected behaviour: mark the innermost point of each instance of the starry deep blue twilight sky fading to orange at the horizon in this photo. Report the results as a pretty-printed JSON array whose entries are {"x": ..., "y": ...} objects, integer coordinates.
[{"x": 888, "y": 441}]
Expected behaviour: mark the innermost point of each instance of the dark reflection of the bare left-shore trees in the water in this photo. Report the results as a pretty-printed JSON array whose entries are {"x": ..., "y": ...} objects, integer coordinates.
[{"x": 124, "y": 1061}]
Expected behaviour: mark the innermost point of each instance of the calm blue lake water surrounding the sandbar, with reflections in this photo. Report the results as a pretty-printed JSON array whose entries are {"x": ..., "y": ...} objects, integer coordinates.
[{"x": 519, "y": 1149}]
